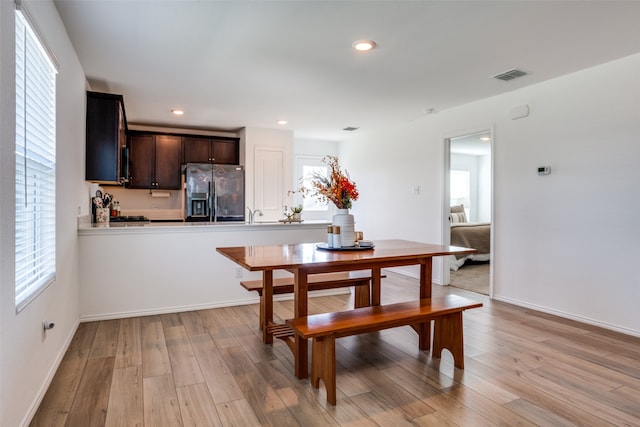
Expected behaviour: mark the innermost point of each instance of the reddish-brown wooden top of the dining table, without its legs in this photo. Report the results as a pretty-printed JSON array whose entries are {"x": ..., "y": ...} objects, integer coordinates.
[{"x": 274, "y": 257}]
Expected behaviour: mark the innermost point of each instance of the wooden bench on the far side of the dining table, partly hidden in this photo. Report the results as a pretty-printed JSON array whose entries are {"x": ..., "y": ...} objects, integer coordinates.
[{"x": 360, "y": 280}]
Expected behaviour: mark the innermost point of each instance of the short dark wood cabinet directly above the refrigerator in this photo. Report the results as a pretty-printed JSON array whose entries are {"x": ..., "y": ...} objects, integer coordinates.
[{"x": 201, "y": 149}]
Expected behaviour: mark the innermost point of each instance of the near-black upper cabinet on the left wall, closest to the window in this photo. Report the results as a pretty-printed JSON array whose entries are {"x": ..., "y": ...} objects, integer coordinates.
[{"x": 106, "y": 129}]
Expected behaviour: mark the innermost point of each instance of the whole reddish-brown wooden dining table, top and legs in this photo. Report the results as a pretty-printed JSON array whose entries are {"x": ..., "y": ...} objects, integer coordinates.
[{"x": 305, "y": 259}]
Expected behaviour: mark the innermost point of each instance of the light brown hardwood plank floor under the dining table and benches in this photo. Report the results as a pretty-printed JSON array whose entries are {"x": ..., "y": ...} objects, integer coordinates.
[{"x": 210, "y": 368}]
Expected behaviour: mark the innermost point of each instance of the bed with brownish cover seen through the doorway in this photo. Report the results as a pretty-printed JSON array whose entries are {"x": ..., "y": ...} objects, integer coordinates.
[{"x": 476, "y": 235}]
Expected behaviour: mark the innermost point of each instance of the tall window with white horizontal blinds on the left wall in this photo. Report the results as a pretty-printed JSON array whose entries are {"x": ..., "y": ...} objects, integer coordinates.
[{"x": 35, "y": 165}]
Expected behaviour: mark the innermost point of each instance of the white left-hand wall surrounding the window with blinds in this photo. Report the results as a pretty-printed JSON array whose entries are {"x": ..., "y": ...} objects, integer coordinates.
[{"x": 28, "y": 357}]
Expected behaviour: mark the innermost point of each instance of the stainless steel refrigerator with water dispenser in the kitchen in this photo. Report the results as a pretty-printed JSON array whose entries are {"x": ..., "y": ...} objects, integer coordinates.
[{"x": 214, "y": 192}]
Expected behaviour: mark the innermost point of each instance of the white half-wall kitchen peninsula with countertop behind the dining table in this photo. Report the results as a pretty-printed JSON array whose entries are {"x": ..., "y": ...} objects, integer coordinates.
[{"x": 152, "y": 268}]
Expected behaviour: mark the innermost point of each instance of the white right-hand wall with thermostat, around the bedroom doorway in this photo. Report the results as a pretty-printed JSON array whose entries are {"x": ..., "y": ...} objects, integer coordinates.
[{"x": 565, "y": 243}]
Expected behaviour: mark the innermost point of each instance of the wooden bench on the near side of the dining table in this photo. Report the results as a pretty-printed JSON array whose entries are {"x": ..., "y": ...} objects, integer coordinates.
[{"x": 325, "y": 328}]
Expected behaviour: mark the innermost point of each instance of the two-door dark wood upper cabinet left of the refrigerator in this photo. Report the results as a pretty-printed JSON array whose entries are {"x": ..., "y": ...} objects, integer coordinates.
[{"x": 155, "y": 161}]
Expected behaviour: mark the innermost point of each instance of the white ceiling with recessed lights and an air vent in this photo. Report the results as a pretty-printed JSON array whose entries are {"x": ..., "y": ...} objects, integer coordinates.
[{"x": 231, "y": 64}]
